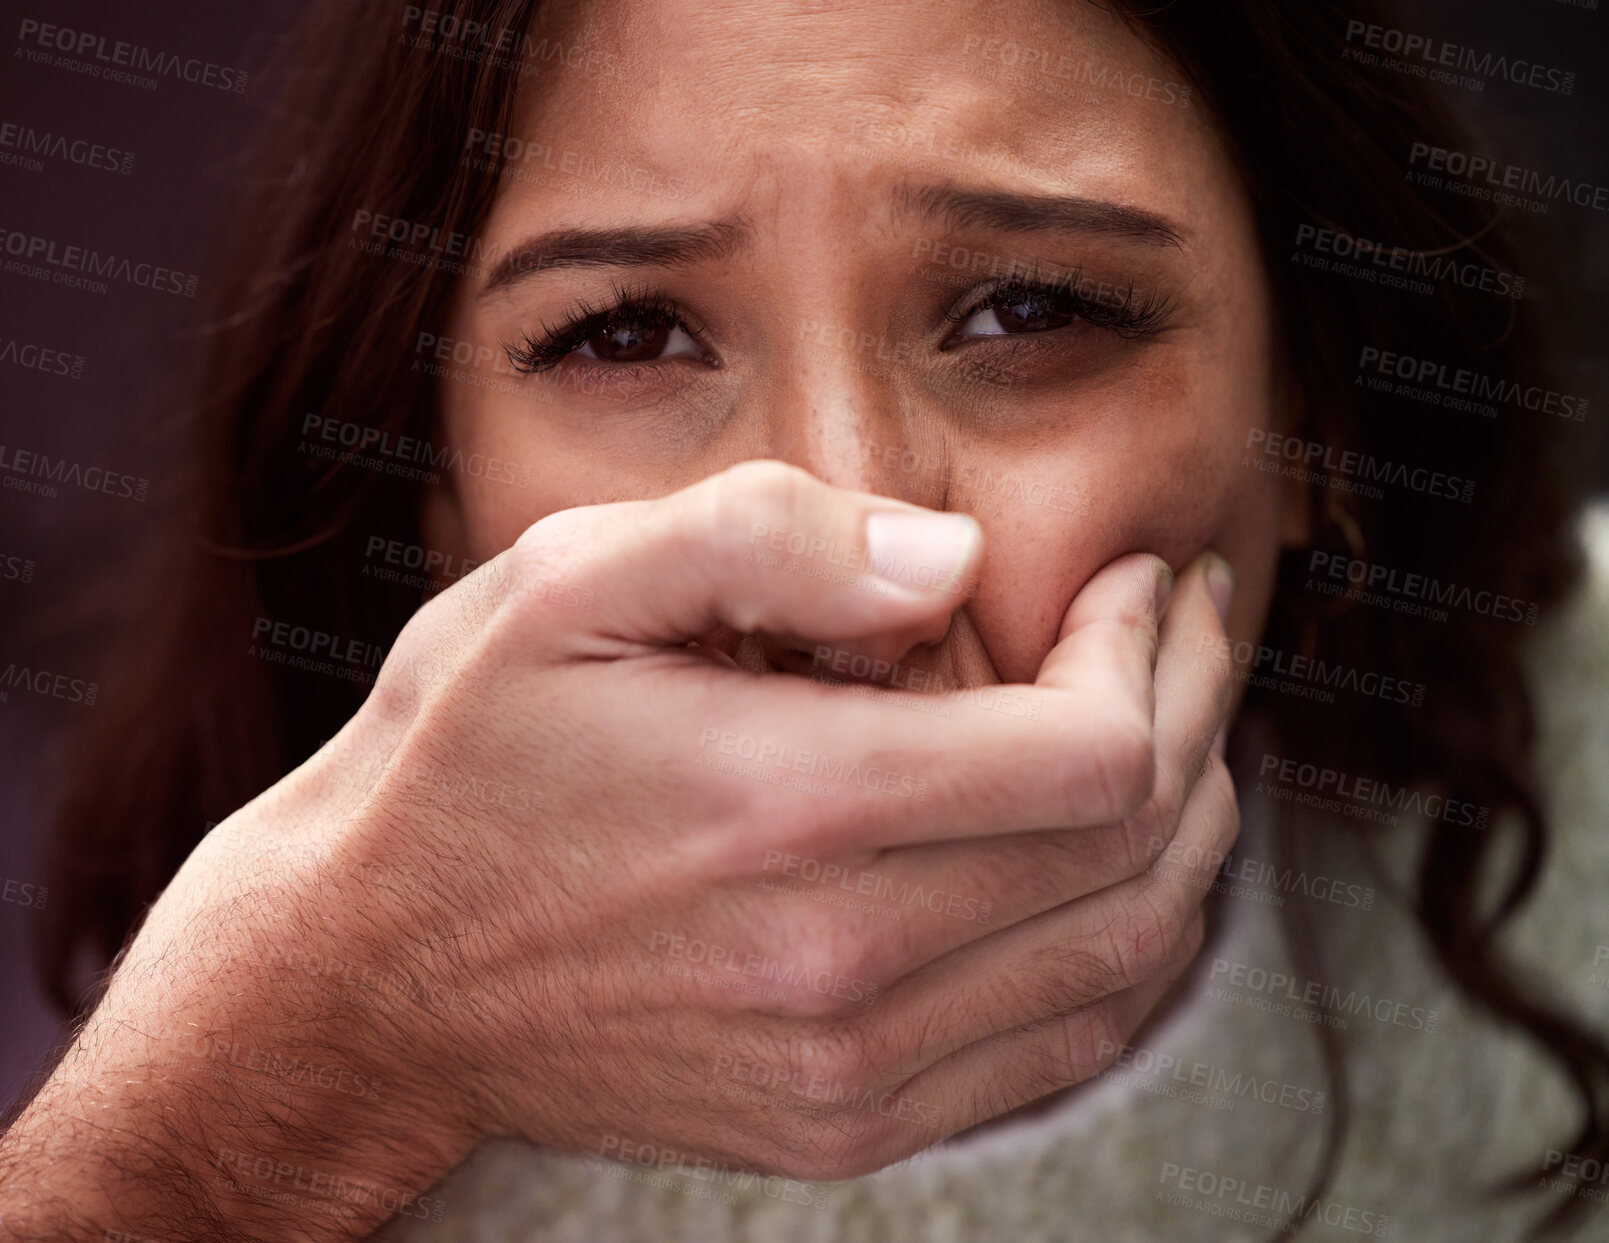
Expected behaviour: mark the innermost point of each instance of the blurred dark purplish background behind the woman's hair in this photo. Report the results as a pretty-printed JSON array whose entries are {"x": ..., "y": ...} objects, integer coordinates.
[{"x": 139, "y": 347}]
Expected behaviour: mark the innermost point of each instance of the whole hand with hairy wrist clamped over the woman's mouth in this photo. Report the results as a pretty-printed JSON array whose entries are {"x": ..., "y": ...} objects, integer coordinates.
[{"x": 529, "y": 888}]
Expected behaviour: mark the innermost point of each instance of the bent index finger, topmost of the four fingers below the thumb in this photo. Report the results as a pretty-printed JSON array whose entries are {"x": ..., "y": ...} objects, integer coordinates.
[{"x": 884, "y": 769}]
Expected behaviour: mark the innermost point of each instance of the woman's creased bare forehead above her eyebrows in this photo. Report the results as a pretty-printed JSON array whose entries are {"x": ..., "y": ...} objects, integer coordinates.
[{"x": 783, "y": 97}]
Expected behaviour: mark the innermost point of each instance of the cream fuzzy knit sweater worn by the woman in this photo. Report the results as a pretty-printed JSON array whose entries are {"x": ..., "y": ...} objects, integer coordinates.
[{"x": 1217, "y": 1117}]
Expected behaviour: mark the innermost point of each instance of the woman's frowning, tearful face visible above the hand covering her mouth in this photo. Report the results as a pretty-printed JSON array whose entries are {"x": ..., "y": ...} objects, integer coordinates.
[{"x": 981, "y": 258}]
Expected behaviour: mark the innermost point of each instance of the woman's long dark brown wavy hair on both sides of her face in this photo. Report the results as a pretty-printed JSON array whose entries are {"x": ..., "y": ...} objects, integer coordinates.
[{"x": 308, "y": 322}]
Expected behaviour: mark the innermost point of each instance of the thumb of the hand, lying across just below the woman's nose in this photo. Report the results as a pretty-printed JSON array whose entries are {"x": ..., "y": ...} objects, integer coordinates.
[{"x": 760, "y": 548}]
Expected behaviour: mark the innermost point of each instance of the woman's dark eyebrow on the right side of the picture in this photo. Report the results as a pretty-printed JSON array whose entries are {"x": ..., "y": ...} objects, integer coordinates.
[{"x": 960, "y": 208}]
